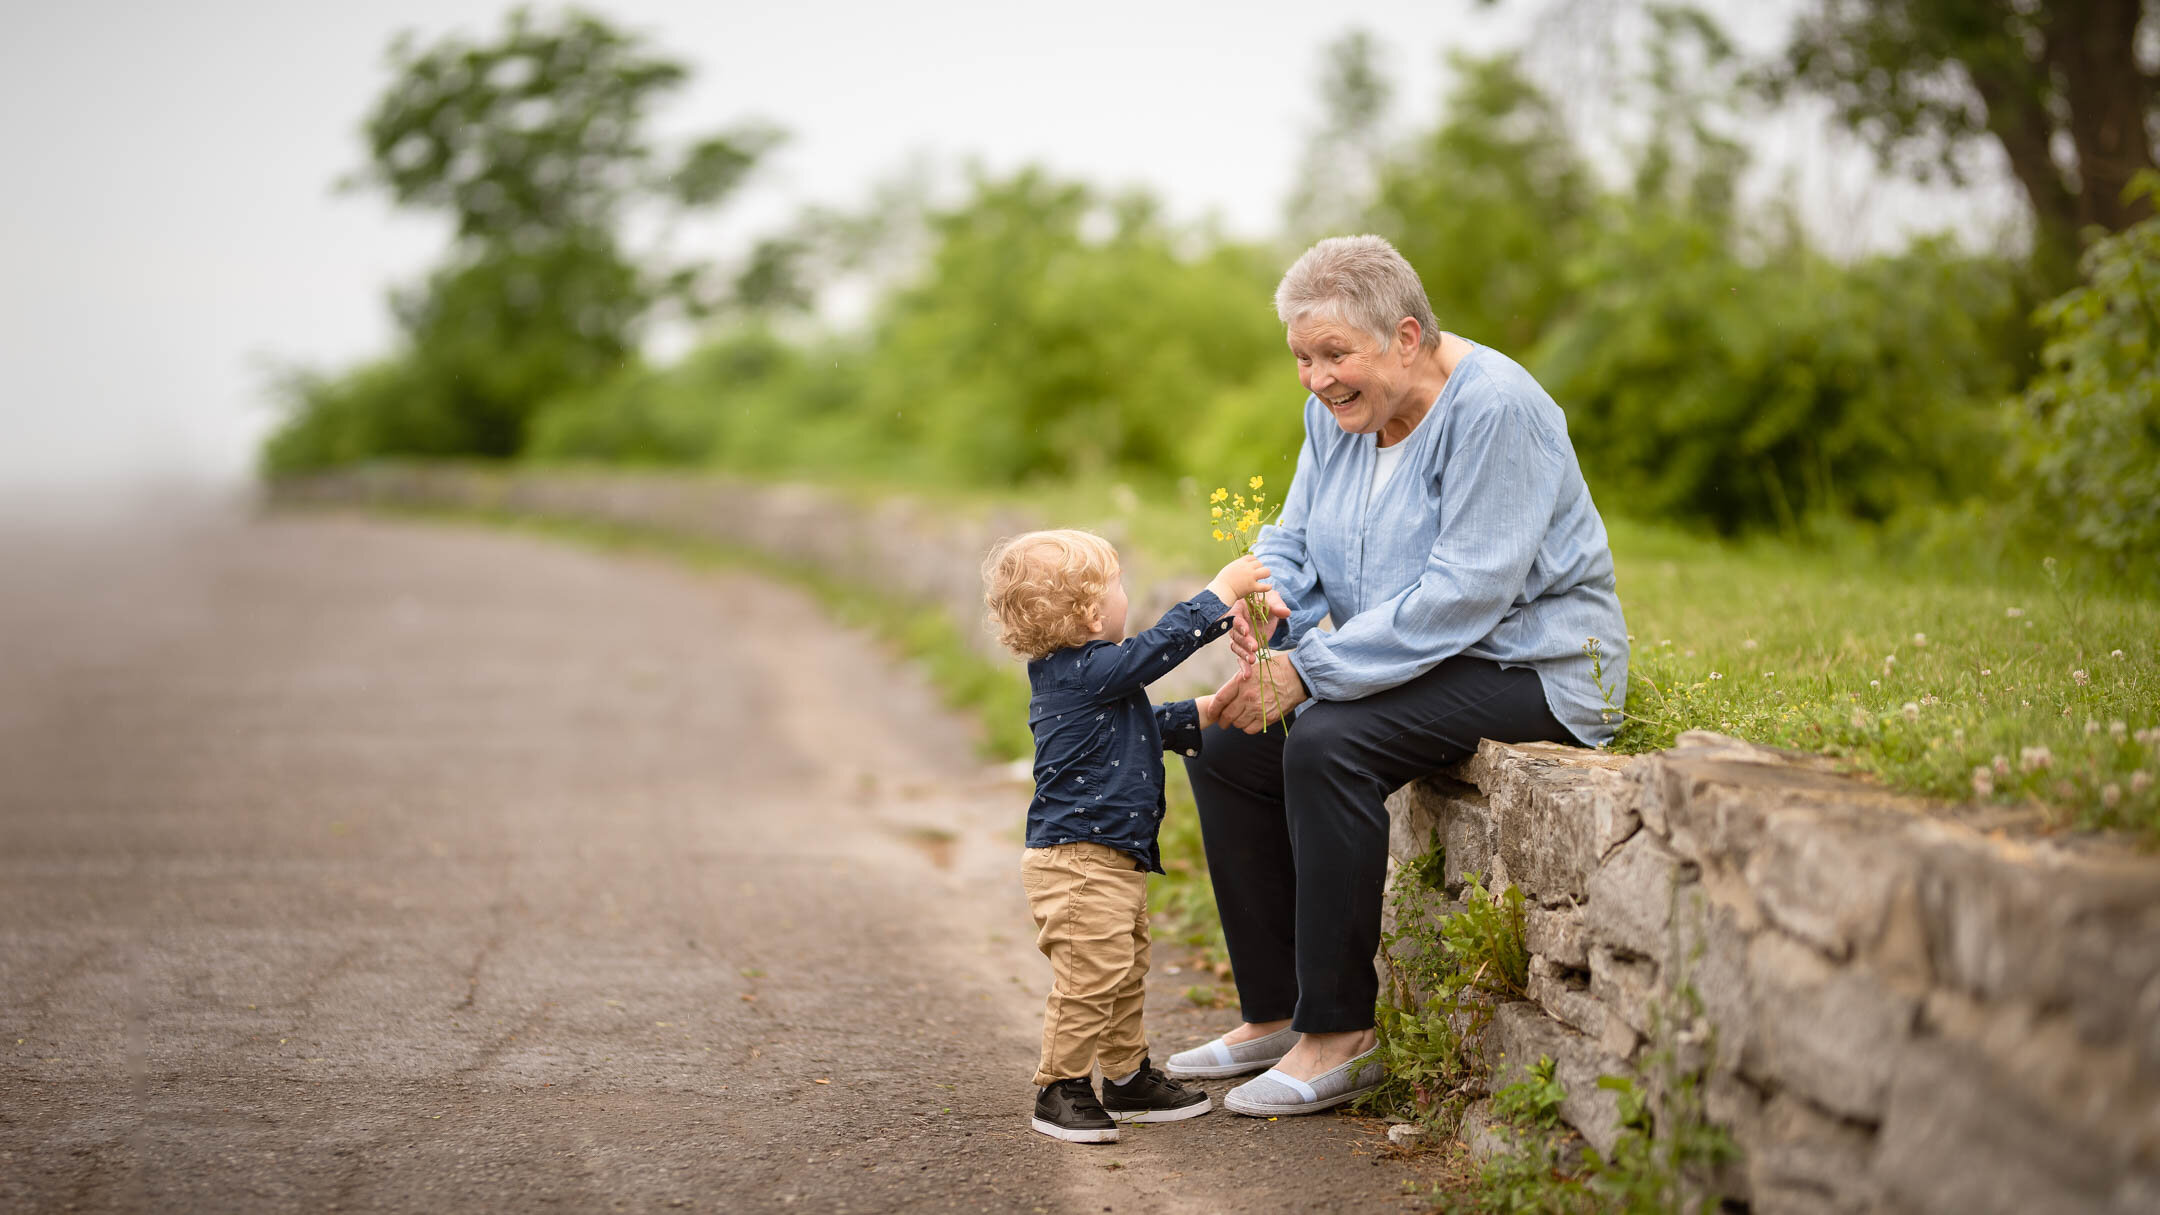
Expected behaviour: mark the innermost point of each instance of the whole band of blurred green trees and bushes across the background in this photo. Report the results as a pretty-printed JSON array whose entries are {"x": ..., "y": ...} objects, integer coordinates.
[{"x": 1716, "y": 369}]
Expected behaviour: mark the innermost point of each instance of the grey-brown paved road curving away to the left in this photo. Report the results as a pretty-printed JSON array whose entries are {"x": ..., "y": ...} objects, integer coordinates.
[{"x": 364, "y": 866}]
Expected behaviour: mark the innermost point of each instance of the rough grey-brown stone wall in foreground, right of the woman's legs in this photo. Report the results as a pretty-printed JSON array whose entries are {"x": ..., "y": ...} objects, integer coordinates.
[{"x": 1900, "y": 1011}]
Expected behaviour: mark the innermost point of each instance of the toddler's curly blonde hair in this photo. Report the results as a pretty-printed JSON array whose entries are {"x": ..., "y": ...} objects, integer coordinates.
[{"x": 1042, "y": 589}]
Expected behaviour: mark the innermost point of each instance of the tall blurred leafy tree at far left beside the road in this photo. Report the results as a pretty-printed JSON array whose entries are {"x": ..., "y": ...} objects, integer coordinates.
[{"x": 537, "y": 148}]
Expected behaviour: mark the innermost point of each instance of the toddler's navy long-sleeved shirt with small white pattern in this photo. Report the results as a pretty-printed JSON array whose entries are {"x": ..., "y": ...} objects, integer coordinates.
[{"x": 1098, "y": 743}]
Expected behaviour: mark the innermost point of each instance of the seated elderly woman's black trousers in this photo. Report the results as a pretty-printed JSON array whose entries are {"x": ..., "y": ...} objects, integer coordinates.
[{"x": 1297, "y": 829}]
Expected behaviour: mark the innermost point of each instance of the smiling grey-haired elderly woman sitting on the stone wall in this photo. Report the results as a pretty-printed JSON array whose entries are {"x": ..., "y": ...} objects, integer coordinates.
[{"x": 1442, "y": 522}]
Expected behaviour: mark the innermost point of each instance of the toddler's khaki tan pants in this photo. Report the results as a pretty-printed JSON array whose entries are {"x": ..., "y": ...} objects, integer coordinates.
[{"x": 1092, "y": 922}]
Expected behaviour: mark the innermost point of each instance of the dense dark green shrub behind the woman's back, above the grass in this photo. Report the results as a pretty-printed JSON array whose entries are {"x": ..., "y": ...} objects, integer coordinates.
[{"x": 1740, "y": 395}]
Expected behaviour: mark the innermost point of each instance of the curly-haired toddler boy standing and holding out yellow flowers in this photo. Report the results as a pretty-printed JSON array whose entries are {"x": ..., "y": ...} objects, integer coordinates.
[{"x": 1059, "y": 602}]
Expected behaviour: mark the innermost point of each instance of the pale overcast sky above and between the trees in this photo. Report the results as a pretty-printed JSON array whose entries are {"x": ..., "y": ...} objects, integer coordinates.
[{"x": 170, "y": 232}]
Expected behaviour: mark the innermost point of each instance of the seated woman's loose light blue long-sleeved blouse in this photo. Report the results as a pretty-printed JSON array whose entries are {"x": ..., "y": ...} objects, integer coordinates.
[{"x": 1483, "y": 544}]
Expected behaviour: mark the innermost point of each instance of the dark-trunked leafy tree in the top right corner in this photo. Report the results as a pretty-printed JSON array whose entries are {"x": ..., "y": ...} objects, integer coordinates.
[{"x": 2057, "y": 85}]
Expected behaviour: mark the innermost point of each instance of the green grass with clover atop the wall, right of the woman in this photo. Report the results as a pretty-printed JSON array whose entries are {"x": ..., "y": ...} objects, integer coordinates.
[{"x": 1971, "y": 693}]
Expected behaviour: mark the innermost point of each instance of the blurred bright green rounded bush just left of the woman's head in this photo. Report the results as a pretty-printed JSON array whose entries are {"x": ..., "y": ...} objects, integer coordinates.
[{"x": 1057, "y": 332}]
